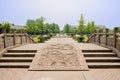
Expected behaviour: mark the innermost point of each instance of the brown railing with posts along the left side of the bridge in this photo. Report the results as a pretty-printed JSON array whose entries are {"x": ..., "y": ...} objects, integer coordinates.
[{"x": 13, "y": 39}]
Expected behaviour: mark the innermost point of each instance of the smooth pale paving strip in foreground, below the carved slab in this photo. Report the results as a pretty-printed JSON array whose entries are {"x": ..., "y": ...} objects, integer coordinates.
[{"x": 58, "y": 75}]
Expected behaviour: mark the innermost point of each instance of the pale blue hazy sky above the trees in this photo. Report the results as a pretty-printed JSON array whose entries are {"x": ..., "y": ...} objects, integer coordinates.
[{"x": 103, "y": 12}]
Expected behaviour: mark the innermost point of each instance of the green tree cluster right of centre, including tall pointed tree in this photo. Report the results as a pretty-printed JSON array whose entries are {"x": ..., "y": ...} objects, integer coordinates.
[{"x": 82, "y": 28}]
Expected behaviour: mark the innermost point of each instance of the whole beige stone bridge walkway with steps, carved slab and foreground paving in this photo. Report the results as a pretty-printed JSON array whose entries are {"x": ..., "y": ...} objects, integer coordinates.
[{"x": 59, "y": 59}]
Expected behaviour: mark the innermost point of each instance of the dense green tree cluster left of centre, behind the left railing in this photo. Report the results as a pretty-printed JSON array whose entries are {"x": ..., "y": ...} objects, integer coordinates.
[{"x": 39, "y": 26}]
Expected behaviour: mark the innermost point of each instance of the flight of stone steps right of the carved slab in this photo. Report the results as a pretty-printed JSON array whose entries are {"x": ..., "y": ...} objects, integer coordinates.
[{"x": 101, "y": 59}]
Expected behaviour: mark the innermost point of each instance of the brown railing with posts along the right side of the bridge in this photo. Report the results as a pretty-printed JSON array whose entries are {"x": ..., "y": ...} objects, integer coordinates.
[{"x": 110, "y": 40}]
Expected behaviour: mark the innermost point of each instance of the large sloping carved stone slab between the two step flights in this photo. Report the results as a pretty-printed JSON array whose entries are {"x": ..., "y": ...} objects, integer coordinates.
[{"x": 59, "y": 57}]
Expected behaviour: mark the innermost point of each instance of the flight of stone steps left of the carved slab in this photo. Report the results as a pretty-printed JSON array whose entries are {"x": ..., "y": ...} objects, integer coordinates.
[{"x": 17, "y": 59}]
